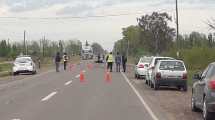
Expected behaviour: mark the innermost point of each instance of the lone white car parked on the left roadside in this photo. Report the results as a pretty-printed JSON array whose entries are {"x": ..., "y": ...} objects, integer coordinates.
[{"x": 24, "y": 64}]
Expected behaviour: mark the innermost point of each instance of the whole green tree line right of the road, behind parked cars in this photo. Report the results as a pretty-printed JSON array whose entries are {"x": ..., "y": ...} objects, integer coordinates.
[{"x": 153, "y": 36}]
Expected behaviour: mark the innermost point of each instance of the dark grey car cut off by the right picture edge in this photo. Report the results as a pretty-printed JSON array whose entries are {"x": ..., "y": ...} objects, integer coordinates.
[{"x": 203, "y": 92}]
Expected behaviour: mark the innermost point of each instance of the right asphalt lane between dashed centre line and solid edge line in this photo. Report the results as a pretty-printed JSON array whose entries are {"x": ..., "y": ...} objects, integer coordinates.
[{"x": 93, "y": 99}]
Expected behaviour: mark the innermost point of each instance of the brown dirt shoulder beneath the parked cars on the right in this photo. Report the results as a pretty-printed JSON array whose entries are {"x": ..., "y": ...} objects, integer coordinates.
[{"x": 175, "y": 104}]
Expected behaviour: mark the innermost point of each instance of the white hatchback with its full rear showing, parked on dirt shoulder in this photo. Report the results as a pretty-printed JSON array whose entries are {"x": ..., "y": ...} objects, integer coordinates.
[{"x": 171, "y": 73}]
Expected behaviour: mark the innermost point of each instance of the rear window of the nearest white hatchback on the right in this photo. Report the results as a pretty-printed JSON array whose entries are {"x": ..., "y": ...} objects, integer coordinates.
[{"x": 172, "y": 65}]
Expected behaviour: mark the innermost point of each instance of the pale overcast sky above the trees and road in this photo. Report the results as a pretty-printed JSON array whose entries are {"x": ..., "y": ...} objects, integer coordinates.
[{"x": 75, "y": 19}]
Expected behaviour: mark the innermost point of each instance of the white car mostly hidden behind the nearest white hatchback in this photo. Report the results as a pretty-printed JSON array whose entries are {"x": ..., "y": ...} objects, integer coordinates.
[{"x": 151, "y": 67}]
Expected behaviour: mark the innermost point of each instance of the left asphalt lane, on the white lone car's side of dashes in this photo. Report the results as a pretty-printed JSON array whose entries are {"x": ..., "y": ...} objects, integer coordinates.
[{"x": 28, "y": 95}]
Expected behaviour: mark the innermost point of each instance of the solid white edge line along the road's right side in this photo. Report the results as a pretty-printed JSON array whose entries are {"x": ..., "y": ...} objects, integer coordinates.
[{"x": 154, "y": 117}]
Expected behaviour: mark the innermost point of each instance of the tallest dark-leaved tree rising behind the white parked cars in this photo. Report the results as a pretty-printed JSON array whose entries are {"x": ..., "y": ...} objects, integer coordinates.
[{"x": 155, "y": 28}]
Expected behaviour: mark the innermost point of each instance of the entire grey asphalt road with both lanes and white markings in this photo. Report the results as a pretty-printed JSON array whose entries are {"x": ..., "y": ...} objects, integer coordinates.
[{"x": 62, "y": 96}]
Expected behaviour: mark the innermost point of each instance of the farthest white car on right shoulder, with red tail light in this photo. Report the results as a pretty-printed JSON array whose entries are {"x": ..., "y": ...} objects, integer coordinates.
[{"x": 141, "y": 67}]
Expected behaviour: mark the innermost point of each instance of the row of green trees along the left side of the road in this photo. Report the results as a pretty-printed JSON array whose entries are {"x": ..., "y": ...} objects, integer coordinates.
[{"x": 41, "y": 48}]
